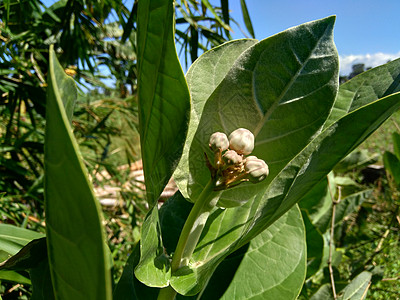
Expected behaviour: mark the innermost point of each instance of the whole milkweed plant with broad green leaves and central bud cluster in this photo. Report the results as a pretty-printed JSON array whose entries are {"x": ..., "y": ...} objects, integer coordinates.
[{"x": 249, "y": 130}]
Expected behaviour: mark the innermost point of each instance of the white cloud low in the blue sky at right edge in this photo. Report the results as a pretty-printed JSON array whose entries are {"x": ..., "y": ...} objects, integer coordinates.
[{"x": 369, "y": 60}]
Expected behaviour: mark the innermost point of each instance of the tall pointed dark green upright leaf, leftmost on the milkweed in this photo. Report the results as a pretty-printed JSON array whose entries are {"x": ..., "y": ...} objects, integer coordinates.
[{"x": 78, "y": 264}]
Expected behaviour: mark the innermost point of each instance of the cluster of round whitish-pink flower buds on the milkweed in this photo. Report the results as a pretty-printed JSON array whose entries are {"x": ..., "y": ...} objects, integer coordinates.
[{"x": 231, "y": 166}]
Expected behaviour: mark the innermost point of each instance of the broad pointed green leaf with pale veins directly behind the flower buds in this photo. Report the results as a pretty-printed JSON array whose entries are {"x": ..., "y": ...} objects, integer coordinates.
[{"x": 284, "y": 74}]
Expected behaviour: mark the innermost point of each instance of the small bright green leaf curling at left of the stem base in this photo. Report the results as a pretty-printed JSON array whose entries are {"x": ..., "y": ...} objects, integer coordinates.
[{"x": 154, "y": 268}]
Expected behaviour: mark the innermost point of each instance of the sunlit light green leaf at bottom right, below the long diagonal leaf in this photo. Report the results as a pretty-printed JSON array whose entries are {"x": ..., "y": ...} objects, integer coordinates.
[{"x": 274, "y": 265}]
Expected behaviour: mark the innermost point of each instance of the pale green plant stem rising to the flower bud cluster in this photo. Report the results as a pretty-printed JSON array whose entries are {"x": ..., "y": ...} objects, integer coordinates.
[{"x": 191, "y": 233}]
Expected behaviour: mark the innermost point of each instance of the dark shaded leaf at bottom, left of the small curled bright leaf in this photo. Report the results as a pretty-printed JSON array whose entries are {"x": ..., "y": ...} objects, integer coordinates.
[{"x": 128, "y": 287}]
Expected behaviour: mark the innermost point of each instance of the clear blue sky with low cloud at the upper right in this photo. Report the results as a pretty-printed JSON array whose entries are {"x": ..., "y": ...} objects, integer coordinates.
[{"x": 365, "y": 31}]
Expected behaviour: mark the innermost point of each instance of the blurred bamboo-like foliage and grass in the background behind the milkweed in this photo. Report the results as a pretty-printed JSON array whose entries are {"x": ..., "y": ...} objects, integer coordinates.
[{"x": 96, "y": 44}]
